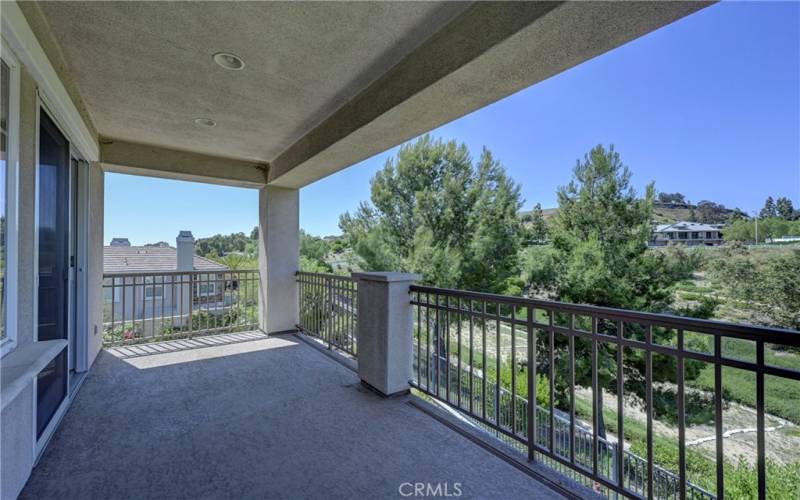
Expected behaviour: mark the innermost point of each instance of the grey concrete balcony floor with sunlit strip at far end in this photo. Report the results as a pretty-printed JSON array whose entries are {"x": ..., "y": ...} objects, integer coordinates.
[{"x": 262, "y": 418}]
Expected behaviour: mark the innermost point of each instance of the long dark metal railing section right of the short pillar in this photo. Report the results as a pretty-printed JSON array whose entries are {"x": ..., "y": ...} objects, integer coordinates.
[{"x": 488, "y": 355}]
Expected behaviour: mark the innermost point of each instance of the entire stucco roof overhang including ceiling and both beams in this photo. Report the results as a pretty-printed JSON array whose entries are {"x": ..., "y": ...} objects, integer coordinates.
[{"x": 325, "y": 84}]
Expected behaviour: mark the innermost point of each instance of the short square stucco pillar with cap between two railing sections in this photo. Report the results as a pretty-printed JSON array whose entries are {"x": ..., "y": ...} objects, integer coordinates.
[{"x": 385, "y": 327}]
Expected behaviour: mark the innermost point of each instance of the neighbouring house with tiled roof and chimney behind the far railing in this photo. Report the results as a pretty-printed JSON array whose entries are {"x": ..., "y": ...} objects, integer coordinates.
[{"x": 145, "y": 282}]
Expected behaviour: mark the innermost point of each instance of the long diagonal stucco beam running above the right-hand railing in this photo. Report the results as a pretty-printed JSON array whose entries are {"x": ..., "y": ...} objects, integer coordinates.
[{"x": 488, "y": 52}]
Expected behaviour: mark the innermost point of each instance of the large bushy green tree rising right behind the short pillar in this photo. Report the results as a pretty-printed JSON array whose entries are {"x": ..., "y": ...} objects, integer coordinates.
[{"x": 436, "y": 212}]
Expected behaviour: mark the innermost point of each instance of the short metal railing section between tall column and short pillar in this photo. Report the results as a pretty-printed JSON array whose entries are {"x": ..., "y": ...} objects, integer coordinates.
[{"x": 329, "y": 309}]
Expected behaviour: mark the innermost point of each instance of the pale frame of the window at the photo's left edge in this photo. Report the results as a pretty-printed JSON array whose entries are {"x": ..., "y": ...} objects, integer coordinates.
[{"x": 11, "y": 289}]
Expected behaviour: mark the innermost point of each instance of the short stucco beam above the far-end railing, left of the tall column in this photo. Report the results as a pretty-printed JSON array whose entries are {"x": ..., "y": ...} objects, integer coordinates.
[{"x": 155, "y": 161}]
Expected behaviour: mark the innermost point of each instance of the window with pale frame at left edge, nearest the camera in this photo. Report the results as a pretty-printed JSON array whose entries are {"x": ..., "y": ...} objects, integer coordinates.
[{"x": 9, "y": 129}]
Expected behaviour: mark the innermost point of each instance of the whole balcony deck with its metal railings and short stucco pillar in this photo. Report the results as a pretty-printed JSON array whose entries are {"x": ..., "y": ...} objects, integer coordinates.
[{"x": 242, "y": 413}]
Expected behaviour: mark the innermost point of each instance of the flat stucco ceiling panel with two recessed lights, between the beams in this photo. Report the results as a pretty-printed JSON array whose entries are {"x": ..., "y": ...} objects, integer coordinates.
[{"x": 145, "y": 69}]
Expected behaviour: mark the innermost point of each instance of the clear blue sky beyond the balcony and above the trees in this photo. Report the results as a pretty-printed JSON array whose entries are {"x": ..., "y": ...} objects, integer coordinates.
[{"x": 708, "y": 106}]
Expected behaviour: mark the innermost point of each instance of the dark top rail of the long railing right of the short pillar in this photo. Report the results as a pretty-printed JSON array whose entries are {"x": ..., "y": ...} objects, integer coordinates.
[{"x": 713, "y": 327}]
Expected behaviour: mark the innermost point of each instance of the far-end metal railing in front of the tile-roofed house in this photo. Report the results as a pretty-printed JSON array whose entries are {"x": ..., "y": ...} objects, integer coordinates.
[{"x": 147, "y": 307}]
